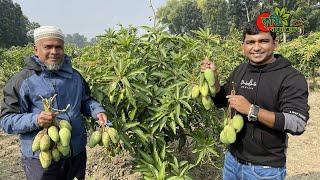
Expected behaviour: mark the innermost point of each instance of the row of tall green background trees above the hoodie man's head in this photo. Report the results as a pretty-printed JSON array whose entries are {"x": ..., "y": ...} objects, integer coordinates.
[{"x": 220, "y": 16}]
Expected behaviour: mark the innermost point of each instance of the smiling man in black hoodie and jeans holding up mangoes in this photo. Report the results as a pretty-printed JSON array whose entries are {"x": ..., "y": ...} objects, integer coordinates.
[{"x": 272, "y": 98}]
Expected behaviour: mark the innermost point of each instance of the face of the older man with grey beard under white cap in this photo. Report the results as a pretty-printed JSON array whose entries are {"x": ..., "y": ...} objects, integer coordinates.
[{"x": 50, "y": 52}]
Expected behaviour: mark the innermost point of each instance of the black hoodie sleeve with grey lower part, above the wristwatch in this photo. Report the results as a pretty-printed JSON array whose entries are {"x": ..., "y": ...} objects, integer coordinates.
[{"x": 293, "y": 103}]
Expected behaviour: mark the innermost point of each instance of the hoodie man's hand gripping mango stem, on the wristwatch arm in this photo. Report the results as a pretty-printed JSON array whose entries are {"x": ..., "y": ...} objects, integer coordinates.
[{"x": 239, "y": 103}]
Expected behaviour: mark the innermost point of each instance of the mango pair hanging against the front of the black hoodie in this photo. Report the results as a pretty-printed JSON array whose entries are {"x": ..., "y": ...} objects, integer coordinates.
[{"x": 231, "y": 127}]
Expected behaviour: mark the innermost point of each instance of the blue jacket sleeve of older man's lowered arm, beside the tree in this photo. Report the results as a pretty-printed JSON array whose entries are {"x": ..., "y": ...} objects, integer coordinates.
[{"x": 89, "y": 106}]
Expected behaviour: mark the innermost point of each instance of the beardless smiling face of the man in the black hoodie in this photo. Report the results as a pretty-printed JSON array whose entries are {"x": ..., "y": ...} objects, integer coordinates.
[{"x": 259, "y": 48}]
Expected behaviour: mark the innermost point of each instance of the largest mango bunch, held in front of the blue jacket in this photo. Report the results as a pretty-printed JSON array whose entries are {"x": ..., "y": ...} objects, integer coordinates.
[{"x": 53, "y": 141}]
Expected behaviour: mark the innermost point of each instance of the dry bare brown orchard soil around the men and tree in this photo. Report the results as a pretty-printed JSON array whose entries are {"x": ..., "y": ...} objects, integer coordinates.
[{"x": 303, "y": 157}]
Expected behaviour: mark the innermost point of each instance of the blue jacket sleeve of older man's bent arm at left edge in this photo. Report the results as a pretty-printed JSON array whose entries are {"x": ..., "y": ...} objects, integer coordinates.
[{"x": 14, "y": 117}]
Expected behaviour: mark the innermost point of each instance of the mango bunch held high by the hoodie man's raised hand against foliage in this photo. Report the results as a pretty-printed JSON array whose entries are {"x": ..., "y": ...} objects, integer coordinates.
[{"x": 206, "y": 86}]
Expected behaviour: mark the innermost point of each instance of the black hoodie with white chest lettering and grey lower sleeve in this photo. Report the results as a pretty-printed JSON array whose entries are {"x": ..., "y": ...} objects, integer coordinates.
[{"x": 276, "y": 87}]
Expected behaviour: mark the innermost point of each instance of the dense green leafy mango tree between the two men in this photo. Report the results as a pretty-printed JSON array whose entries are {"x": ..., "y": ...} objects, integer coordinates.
[{"x": 145, "y": 83}]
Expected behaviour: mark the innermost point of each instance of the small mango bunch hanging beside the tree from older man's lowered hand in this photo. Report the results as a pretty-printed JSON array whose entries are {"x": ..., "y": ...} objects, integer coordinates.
[{"x": 103, "y": 136}]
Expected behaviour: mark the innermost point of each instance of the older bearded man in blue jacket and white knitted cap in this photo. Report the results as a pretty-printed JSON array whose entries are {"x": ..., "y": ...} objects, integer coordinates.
[{"x": 49, "y": 72}]
